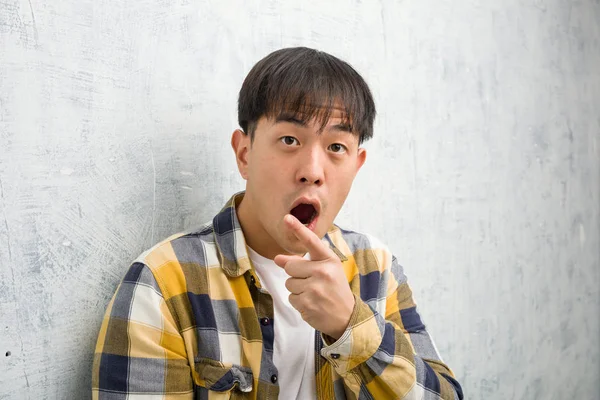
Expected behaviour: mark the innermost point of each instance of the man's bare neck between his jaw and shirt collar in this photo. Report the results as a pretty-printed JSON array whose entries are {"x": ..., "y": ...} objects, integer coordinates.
[{"x": 254, "y": 232}]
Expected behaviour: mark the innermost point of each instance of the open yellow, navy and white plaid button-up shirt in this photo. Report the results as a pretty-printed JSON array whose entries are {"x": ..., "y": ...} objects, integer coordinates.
[{"x": 190, "y": 320}]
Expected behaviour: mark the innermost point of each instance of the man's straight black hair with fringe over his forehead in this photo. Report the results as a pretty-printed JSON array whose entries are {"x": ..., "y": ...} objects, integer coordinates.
[{"x": 309, "y": 84}]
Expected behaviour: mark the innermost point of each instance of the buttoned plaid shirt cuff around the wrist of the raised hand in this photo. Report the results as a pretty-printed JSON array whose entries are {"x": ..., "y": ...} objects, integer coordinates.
[{"x": 358, "y": 343}]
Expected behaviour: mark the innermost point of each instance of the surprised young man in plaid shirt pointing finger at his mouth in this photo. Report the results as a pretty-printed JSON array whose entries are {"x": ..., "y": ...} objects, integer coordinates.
[{"x": 271, "y": 299}]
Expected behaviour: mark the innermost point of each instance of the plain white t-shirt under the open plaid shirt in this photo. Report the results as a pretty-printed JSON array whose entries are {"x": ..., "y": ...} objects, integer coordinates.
[{"x": 294, "y": 342}]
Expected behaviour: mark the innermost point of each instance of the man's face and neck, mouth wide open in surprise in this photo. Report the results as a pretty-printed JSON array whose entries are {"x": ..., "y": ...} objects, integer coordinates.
[{"x": 292, "y": 168}]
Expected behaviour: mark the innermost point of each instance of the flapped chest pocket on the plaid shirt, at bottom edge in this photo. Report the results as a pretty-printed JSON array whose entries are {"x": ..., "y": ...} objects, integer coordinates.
[{"x": 222, "y": 380}]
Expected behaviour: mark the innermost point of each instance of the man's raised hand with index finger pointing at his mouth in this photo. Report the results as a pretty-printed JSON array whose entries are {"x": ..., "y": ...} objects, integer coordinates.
[{"x": 319, "y": 288}]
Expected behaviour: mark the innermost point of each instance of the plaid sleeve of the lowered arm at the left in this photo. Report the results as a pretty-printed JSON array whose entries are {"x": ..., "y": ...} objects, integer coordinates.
[{"x": 140, "y": 351}]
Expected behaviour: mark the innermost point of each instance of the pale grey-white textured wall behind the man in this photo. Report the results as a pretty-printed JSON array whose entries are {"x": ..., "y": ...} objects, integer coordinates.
[{"x": 483, "y": 176}]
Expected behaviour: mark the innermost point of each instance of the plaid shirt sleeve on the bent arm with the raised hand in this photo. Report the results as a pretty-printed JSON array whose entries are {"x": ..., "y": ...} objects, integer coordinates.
[{"x": 386, "y": 350}]
